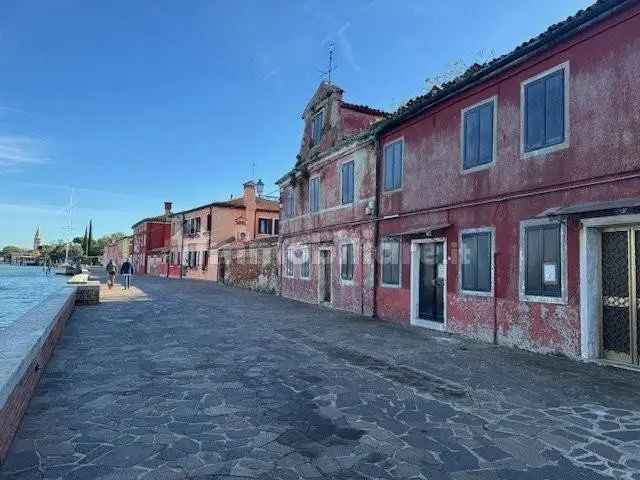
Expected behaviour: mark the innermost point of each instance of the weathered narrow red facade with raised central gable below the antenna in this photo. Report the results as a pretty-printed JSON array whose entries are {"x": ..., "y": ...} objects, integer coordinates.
[{"x": 327, "y": 227}]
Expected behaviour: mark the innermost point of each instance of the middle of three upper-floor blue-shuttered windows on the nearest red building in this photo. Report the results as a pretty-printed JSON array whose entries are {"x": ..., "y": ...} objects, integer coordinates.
[{"x": 478, "y": 123}]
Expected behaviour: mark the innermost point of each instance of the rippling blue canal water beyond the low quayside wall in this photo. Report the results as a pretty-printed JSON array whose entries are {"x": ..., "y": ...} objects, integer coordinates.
[{"x": 21, "y": 288}]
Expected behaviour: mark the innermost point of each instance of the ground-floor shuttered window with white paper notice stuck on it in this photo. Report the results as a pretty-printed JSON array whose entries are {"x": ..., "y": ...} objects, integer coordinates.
[{"x": 542, "y": 260}]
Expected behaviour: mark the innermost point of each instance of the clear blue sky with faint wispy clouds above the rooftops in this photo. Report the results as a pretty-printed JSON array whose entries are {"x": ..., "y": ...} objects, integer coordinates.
[{"x": 137, "y": 102}]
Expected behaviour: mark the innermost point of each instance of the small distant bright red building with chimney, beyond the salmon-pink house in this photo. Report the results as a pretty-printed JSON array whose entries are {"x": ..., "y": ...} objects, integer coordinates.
[{"x": 151, "y": 240}]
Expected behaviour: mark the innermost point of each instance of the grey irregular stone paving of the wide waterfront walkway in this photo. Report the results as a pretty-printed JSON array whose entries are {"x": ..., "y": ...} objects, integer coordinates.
[{"x": 188, "y": 379}]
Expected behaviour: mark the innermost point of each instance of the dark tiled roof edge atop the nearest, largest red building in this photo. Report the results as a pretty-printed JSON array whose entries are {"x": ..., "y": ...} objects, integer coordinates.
[{"x": 476, "y": 73}]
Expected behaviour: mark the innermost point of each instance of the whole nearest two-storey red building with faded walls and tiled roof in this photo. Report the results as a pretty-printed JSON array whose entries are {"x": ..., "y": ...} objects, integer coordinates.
[{"x": 510, "y": 196}]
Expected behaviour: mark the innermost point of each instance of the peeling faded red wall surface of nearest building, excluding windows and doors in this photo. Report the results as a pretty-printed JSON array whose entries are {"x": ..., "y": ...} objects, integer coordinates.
[{"x": 604, "y": 106}]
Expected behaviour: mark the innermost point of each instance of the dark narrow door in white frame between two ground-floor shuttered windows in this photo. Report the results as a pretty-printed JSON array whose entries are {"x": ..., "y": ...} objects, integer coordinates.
[{"x": 431, "y": 282}]
